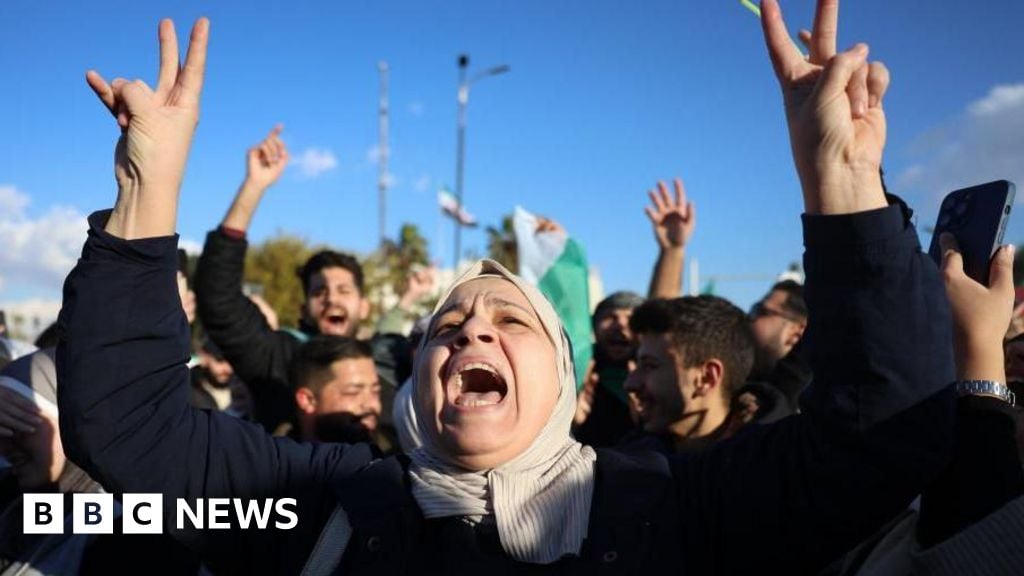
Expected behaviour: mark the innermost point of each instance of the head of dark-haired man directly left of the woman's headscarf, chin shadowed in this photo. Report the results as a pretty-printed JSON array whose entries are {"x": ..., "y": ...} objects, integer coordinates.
[{"x": 337, "y": 392}]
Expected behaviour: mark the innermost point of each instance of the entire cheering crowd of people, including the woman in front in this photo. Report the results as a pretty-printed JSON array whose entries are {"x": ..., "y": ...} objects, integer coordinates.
[{"x": 862, "y": 423}]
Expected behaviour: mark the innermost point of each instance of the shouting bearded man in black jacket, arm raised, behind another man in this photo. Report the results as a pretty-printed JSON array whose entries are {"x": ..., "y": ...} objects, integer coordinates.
[{"x": 332, "y": 282}]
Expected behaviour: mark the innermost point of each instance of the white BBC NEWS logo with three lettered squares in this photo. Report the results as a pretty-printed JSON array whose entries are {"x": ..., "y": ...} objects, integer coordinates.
[{"x": 144, "y": 514}]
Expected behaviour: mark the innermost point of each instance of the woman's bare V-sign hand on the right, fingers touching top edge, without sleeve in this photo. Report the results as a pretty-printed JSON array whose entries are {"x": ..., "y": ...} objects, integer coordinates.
[{"x": 834, "y": 110}]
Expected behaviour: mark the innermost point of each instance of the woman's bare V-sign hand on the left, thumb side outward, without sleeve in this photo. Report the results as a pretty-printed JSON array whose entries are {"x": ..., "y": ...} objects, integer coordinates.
[{"x": 157, "y": 129}]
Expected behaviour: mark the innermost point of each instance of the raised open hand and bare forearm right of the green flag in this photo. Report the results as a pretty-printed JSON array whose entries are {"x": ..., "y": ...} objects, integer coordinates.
[{"x": 674, "y": 221}]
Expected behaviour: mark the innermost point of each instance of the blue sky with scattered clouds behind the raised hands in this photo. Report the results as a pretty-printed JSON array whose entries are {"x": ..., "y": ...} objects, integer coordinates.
[{"x": 604, "y": 99}]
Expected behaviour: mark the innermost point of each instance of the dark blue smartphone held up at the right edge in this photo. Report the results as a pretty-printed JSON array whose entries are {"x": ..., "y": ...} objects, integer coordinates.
[{"x": 977, "y": 217}]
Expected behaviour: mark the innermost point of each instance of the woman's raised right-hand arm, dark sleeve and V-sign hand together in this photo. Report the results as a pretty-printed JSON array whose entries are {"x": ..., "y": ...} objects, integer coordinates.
[{"x": 877, "y": 425}]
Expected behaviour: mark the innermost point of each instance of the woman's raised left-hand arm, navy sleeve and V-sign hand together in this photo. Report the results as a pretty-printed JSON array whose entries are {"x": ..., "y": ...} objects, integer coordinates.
[{"x": 121, "y": 363}]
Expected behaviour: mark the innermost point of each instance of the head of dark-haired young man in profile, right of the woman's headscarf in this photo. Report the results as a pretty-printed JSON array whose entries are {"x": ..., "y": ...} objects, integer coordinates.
[{"x": 694, "y": 353}]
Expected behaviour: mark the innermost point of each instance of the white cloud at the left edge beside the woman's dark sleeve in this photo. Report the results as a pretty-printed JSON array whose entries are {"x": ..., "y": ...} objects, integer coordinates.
[{"x": 37, "y": 253}]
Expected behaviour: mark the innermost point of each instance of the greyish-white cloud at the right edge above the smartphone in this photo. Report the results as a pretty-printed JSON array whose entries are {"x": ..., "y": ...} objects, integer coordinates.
[{"x": 983, "y": 145}]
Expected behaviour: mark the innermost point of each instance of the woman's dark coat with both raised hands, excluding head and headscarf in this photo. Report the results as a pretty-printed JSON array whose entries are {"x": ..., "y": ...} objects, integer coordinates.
[{"x": 785, "y": 499}]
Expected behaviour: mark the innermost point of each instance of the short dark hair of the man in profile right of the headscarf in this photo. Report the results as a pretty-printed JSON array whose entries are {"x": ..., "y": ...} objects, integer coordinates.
[{"x": 702, "y": 328}]
